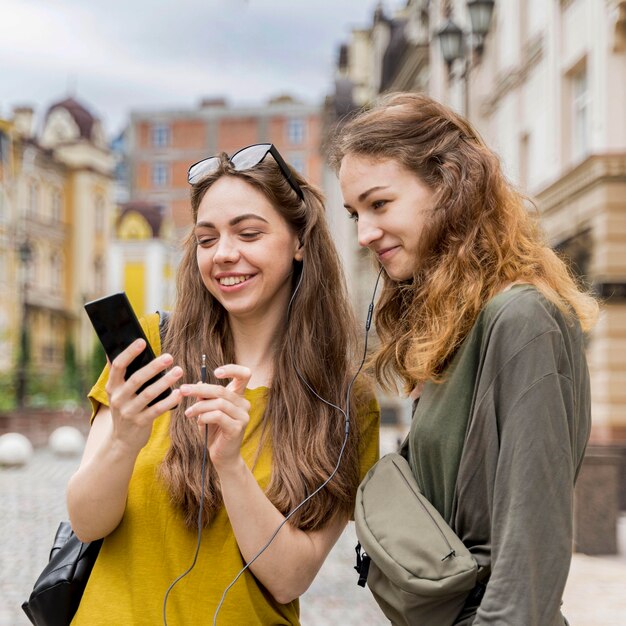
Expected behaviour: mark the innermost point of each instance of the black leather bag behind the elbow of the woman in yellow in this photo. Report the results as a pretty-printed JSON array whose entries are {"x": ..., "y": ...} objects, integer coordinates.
[{"x": 59, "y": 588}]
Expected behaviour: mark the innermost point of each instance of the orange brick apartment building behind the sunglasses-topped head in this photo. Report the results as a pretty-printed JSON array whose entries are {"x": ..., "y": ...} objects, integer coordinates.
[{"x": 163, "y": 144}]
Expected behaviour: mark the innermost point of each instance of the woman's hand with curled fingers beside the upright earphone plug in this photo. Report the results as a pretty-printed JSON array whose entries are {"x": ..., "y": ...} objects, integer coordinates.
[{"x": 225, "y": 411}]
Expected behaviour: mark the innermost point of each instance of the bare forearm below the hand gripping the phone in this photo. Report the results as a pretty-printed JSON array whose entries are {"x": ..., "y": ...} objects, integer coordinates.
[{"x": 96, "y": 494}]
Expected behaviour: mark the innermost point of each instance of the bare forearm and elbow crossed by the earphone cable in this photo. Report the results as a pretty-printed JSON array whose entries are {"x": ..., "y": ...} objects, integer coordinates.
[{"x": 290, "y": 563}]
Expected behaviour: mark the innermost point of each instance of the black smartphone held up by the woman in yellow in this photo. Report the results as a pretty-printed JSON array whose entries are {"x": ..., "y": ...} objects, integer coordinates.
[{"x": 117, "y": 326}]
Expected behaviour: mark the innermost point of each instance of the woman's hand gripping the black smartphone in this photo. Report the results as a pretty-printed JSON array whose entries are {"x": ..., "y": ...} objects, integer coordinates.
[{"x": 132, "y": 417}]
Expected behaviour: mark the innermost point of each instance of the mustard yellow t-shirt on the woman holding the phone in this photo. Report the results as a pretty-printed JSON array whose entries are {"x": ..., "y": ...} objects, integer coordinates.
[{"x": 151, "y": 547}]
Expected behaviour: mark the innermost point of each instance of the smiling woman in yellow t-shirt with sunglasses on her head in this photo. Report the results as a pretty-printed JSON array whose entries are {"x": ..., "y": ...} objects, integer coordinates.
[{"x": 262, "y": 296}]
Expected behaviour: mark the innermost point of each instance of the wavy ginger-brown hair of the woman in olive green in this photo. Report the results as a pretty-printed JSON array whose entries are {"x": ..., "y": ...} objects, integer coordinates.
[{"x": 479, "y": 237}]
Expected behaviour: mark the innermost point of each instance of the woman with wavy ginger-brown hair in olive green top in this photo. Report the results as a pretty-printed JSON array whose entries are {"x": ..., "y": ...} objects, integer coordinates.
[{"x": 482, "y": 323}]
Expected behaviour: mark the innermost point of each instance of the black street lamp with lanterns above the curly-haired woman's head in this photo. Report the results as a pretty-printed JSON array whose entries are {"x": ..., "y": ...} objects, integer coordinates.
[{"x": 456, "y": 44}]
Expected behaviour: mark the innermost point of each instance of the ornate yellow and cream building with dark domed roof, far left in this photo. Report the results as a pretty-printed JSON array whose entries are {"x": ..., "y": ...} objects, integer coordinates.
[{"x": 57, "y": 229}]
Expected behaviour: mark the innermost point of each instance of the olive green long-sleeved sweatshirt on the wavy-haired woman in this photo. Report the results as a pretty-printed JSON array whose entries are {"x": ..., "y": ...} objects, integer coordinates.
[{"x": 497, "y": 448}]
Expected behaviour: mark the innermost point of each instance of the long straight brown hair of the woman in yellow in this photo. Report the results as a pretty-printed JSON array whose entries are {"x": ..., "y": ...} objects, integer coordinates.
[{"x": 318, "y": 339}]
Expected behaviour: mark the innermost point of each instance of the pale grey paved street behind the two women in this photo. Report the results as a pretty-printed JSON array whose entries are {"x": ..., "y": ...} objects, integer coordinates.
[{"x": 33, "y": 503}]
